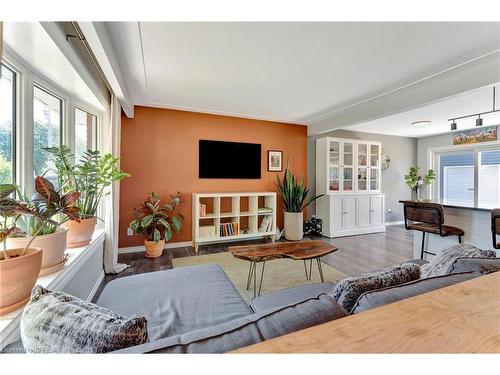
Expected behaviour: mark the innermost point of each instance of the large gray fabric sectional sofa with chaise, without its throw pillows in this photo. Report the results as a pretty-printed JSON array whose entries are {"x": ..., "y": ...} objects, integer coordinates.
[{"x": 198, "y": 310}]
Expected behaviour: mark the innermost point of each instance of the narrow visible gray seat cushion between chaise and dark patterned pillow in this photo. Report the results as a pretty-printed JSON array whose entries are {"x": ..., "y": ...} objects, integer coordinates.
[{"x": 289, "y": 296}]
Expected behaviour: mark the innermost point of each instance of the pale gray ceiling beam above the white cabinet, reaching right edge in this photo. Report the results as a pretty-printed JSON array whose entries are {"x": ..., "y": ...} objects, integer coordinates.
[{"x": 479, "y": 72}]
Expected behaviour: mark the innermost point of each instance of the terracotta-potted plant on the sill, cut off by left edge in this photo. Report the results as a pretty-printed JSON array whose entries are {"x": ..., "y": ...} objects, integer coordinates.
[{"x": 19, "y": 267}]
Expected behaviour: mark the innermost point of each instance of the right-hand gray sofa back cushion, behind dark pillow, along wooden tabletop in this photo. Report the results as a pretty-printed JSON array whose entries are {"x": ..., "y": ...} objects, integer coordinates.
[{"x": 375, "y": 298}]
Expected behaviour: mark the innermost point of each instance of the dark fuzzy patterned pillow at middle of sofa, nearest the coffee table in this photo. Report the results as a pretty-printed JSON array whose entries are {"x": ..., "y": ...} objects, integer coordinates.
[{"x": 347, "y": 291}]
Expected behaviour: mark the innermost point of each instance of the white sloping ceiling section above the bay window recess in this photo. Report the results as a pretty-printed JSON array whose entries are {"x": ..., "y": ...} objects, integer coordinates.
[{"x": 31, "y": 43}]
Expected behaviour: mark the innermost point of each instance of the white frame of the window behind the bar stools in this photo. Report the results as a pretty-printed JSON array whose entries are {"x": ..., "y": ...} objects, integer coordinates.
[{"x": 435, "y": 153}]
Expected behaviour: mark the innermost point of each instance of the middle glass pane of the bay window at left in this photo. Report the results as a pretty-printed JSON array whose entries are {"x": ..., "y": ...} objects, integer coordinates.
[{"x": 47, "y": 121}]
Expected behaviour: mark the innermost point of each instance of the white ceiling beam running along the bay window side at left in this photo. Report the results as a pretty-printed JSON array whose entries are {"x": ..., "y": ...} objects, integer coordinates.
[{"x": 97, "y": 38}]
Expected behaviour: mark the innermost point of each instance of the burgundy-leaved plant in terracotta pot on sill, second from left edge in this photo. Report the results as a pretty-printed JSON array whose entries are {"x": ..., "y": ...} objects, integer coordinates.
[{"x": 42, "y": 229}]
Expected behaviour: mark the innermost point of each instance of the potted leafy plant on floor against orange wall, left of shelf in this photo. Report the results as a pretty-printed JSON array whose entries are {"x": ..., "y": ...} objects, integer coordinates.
[{"x": 157, "y": 222}]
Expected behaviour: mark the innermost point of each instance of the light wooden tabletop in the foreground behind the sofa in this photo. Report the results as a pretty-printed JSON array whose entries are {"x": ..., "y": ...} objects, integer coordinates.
[{"x": 462, "y": 318}]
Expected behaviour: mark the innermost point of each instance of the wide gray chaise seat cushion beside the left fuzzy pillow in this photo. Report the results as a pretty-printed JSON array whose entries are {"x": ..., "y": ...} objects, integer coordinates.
[{"x": 176, "y": 301}]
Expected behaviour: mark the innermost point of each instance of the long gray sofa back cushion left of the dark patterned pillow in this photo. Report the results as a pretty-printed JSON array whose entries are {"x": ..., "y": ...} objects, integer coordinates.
[{"x": 248, "y": 330}]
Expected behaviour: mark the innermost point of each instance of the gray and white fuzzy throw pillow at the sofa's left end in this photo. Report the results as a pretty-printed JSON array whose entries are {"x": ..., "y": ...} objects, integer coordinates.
[{"x": 56, "y": 322}]
